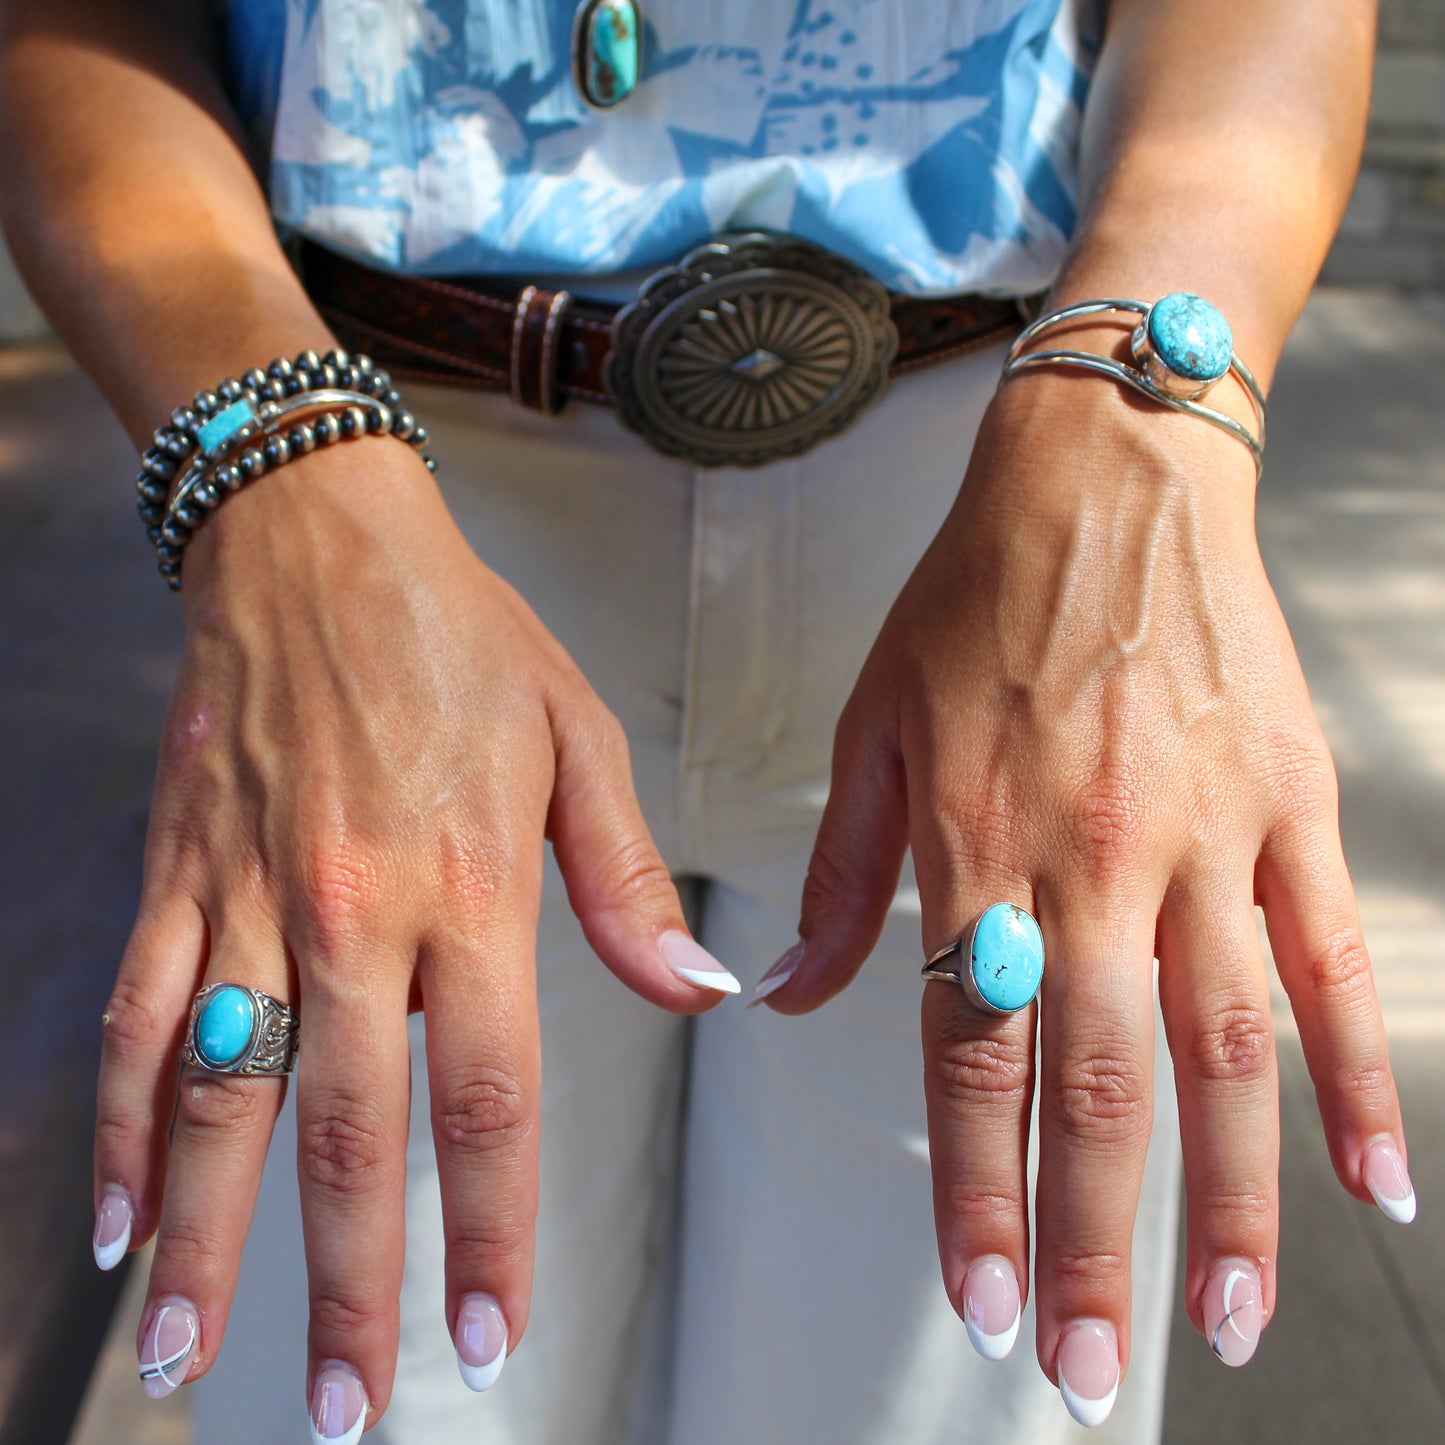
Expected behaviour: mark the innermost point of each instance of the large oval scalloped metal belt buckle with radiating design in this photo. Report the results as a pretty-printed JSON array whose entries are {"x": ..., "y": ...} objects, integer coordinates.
[{"x": 754, "y": 348}]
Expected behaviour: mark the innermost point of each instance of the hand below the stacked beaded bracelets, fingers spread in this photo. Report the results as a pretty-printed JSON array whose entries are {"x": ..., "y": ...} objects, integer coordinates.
[{"x": 369, "y": 739}]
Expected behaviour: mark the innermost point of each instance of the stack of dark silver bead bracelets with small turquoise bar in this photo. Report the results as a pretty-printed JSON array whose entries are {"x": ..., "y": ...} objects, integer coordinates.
[{"x": 254, "y": 424}]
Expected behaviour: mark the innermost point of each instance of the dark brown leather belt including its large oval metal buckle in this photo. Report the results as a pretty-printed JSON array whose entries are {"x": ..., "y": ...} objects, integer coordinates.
[{"x": 754, "y": 348}]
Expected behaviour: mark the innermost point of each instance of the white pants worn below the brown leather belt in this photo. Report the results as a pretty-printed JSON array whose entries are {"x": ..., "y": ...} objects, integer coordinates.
[{"x": 736, "y": 1241}]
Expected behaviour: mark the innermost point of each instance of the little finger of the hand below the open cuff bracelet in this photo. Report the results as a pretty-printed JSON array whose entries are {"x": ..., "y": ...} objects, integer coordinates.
[{"x": 1320, "y": 952}]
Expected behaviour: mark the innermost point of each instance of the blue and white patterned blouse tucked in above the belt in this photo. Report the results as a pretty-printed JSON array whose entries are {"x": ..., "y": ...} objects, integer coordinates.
[{"x": 930, "y": 141}]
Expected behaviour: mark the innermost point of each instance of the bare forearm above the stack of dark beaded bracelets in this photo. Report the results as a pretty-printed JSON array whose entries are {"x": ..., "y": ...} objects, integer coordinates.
[{"x": 131, "y": 206}]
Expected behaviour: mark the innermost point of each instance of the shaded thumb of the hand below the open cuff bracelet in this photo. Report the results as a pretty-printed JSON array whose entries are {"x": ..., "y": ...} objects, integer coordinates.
[{"x": 852, "y": 876}]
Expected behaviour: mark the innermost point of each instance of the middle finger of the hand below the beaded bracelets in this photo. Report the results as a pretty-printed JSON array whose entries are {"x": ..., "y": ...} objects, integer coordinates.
[{"x": 353, "y": 1082}]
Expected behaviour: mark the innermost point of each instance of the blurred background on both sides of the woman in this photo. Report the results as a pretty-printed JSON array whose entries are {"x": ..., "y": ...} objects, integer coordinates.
[{"x": 1353, "y": 528}]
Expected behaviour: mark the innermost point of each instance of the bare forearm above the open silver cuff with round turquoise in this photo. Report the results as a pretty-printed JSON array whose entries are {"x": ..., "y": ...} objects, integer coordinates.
[{"x": 1220, "y": 147}]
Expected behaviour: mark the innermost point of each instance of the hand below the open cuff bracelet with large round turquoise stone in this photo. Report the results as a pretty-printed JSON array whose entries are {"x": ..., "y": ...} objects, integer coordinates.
[{"x": 1086, "y": 702}]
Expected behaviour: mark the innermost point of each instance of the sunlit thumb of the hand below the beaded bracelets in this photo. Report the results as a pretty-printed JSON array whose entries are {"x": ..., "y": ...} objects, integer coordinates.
[{"x": 616, "y": 881}]
